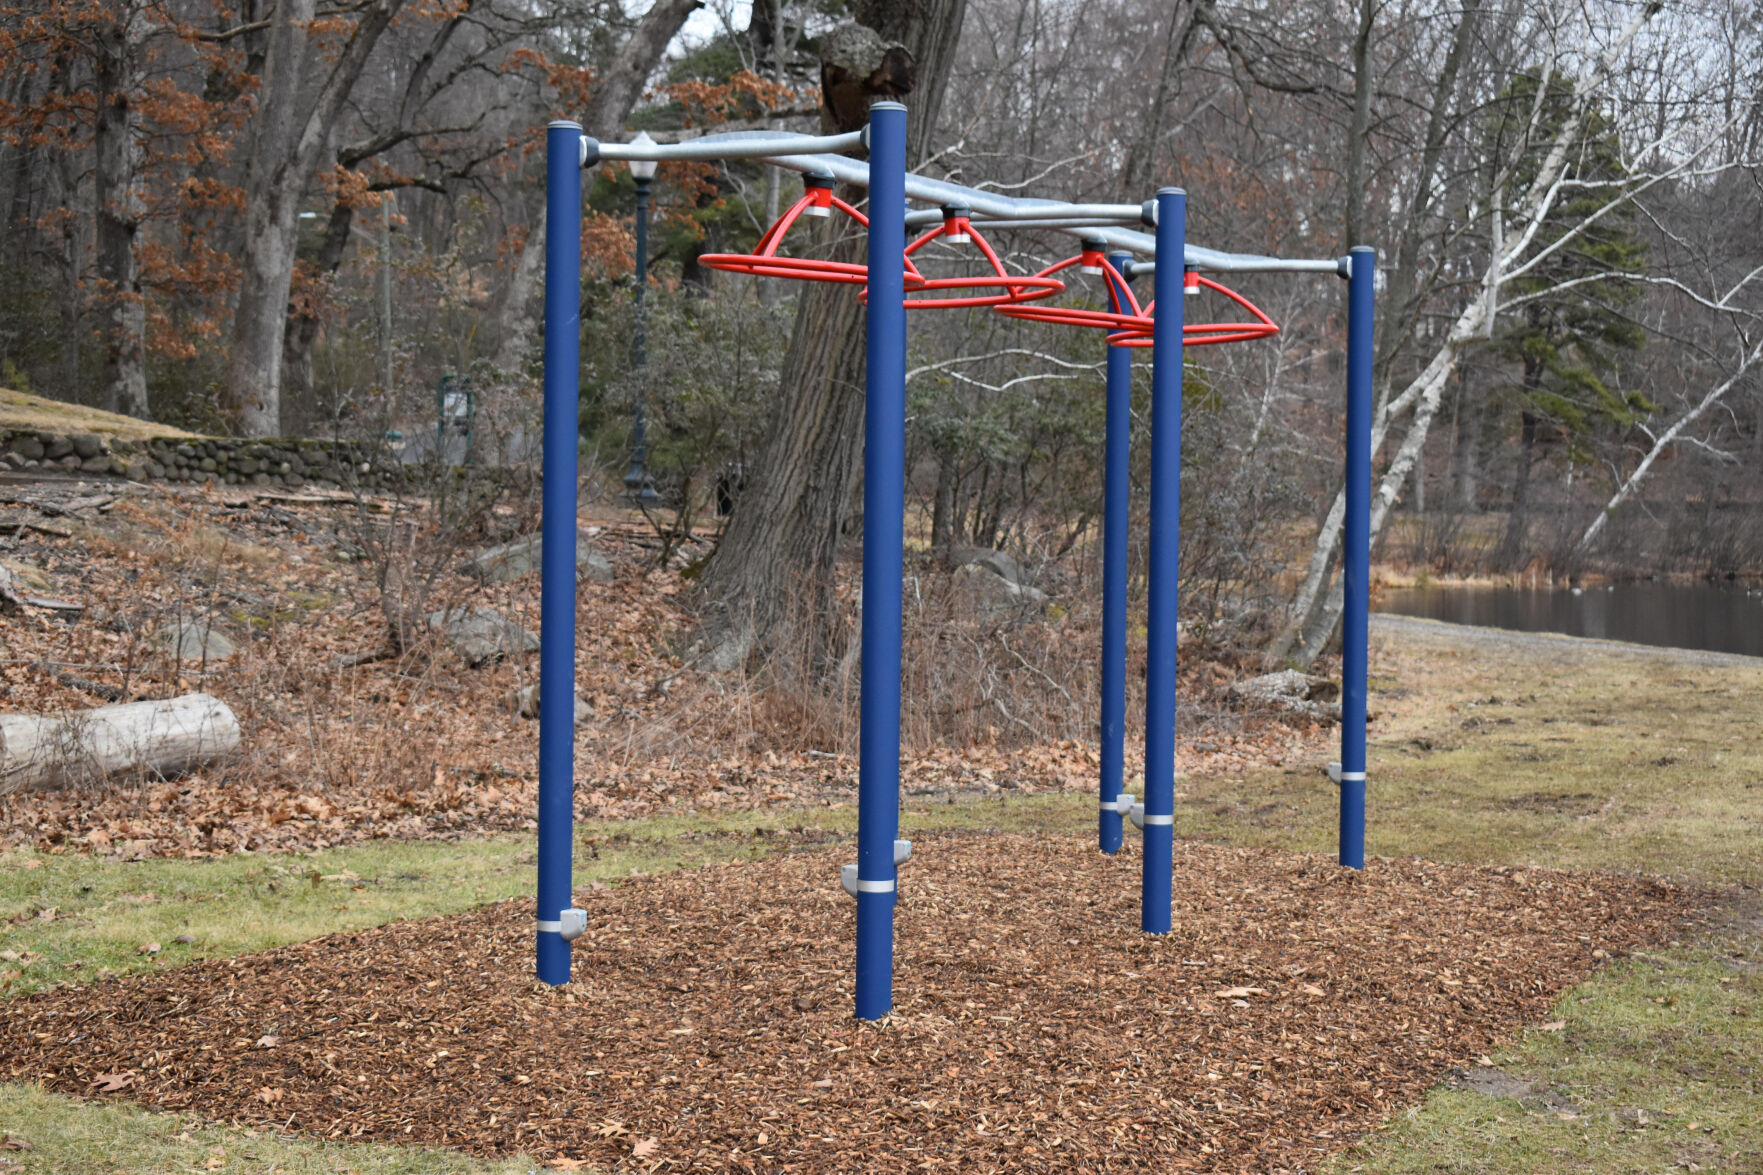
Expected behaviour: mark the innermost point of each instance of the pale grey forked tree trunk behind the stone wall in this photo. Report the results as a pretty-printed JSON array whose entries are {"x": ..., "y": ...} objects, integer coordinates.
[{"x": 285, "y": 151}]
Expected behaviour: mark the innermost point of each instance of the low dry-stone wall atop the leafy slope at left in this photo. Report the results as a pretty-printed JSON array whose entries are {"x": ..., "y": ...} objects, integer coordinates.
[{"x": 332, "y": 465}]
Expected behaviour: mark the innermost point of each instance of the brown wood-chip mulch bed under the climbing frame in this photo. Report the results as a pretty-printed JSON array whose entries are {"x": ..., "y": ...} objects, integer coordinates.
[{"x": 1293, "y": 1008}]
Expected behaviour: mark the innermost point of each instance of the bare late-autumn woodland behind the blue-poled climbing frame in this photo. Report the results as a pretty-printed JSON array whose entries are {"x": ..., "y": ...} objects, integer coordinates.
[{"x": 297, "y": 218}]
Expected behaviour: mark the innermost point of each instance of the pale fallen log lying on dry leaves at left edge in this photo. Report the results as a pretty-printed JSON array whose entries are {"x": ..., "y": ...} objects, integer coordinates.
[{"x": 80, "y": 747}]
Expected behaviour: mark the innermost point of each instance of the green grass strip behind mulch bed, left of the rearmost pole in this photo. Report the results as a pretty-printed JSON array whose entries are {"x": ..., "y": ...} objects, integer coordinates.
[{"x": 75, "y": 918}]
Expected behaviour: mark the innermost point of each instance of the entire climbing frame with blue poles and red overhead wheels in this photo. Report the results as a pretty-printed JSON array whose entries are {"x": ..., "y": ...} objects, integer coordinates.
[{"x": 888, "y": 278}]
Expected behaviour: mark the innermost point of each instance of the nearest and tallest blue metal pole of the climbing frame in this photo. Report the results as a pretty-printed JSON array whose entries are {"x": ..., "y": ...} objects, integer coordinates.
[{"x": 884, "y": 537}]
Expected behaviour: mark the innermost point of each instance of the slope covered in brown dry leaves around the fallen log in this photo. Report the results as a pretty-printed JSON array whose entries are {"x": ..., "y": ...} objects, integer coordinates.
[{"x": 424, "y": 747}]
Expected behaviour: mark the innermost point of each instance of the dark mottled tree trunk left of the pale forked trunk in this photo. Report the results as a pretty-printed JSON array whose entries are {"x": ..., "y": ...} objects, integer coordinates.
[{"x": 119, "y": 213}]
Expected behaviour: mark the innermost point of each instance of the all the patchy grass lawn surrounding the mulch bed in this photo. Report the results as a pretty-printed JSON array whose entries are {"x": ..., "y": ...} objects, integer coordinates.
[{"x": 1542, "y": 754}]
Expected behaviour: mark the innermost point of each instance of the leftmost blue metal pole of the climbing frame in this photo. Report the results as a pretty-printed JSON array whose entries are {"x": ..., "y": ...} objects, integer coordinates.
[{"x": 563, "y": 327}]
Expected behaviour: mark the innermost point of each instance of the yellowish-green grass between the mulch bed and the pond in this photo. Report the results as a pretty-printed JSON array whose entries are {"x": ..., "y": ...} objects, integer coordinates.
[{"x": 1563, "y": 758}]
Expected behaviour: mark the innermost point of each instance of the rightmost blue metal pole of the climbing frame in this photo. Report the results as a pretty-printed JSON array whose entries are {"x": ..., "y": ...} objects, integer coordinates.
[{"x": 1357, "y": 564}]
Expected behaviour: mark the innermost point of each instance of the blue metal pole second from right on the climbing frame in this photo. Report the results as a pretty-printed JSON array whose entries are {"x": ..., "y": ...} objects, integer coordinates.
[{"x": 1166, "y": 565}]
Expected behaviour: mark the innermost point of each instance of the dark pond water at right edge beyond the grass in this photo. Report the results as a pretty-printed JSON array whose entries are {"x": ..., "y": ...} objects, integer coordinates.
[{"x": 1725, "y": 618}]
